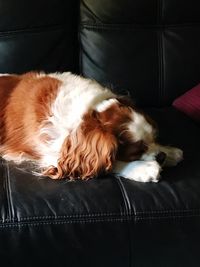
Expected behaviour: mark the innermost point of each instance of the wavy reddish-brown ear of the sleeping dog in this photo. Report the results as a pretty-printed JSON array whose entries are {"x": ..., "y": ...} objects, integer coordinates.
[{"x": 88, "y": 151}]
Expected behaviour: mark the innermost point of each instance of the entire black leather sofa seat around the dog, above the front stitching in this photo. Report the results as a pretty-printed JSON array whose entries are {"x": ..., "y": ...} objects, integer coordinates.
[{"x": 26, "y": 199}]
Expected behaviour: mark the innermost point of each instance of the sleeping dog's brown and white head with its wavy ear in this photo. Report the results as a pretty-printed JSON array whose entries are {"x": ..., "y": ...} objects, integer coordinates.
[{"x": 113, "y": 130}]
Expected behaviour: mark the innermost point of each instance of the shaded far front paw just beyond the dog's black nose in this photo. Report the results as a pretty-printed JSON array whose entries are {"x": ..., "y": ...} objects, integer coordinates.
[{"x": 173, "y": 156}]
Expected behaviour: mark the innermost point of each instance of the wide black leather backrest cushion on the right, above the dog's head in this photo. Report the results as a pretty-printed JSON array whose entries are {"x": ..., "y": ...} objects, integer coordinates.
[{"x": 150, "y": 48}]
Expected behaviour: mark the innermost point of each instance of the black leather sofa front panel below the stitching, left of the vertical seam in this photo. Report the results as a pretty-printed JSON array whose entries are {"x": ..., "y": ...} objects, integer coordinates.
[{"x": 67, "y": 244}]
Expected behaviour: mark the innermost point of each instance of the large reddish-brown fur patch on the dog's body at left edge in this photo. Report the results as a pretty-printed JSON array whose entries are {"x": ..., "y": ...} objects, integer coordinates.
[{"x": 25, "y": 103}]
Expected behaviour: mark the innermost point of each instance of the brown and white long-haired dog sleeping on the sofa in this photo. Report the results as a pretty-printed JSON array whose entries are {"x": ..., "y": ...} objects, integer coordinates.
[{"x": 73, "y": 127}]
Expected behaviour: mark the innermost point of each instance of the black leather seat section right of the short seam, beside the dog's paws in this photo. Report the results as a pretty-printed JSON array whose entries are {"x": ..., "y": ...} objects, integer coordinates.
[{"x": 178, "y": 193}]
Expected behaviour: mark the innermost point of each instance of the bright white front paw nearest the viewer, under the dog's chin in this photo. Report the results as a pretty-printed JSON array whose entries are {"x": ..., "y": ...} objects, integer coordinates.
[{"x": 140, "y": 171}]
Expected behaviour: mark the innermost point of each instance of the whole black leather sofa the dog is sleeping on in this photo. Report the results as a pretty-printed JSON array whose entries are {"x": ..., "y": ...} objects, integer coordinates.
[{"x": 149, "y": 48}]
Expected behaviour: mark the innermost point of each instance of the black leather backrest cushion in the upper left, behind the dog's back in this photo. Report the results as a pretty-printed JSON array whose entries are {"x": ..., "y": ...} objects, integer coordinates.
[{"x": 37, "y": 35}]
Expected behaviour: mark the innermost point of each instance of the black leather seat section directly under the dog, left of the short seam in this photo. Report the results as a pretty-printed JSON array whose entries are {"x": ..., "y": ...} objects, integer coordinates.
[{"x": 28, "y": 197}]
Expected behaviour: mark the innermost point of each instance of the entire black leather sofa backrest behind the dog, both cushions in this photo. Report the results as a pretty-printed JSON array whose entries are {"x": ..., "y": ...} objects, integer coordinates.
[{"x": 148, "y": 48}]
